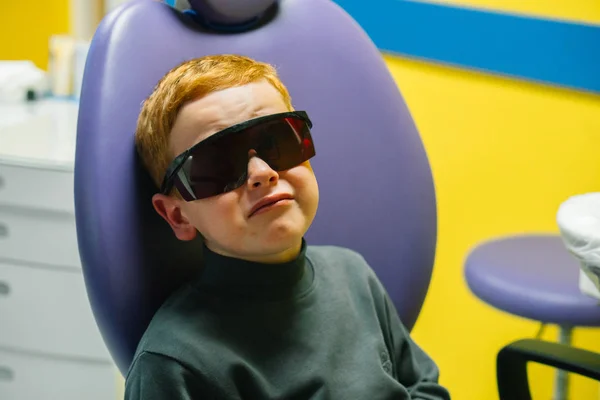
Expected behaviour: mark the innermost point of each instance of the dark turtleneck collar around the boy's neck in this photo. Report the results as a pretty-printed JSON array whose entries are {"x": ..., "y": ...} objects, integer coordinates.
[{"x": 233, "y": 276}]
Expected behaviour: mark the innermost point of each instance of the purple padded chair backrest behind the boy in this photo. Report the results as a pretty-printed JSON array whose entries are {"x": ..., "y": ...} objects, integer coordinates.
[{"x": 376, "y": 190}]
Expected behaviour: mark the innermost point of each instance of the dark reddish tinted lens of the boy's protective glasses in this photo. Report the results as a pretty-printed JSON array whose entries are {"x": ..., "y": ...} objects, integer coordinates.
[{"x": 221, "y": 166}]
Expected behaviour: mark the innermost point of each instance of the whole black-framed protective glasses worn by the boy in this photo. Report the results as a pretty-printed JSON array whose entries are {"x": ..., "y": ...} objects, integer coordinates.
[{"x": 219, "y": 163}]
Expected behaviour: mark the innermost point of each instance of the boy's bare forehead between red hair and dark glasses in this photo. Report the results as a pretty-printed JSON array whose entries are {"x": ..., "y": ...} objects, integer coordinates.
[{"x": 216, "y": 111}]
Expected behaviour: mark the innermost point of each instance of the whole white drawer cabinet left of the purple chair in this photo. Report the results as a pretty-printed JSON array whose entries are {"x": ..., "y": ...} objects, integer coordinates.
[{"x": 50, "y": 345}]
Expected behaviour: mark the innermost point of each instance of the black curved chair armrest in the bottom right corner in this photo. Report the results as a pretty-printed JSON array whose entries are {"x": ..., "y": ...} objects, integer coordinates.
[{"x": 512, "y": 360}]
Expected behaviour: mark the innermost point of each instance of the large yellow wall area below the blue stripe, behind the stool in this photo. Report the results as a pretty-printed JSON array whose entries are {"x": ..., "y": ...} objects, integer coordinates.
[{"x": 504, "y": 155}]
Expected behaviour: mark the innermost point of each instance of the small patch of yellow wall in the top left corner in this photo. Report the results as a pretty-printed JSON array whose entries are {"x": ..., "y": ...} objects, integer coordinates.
[{"x": 25, "y": 28}]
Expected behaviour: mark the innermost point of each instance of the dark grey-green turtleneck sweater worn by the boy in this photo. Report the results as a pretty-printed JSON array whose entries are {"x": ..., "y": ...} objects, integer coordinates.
[{"x": 319, "y": 327}]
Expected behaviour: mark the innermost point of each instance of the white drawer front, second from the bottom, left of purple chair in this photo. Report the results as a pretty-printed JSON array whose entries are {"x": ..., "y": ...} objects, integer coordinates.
[{"x": 54, "y": 316}]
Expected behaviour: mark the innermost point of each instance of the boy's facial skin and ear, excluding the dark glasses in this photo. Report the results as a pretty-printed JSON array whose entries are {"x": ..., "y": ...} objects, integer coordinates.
[{"x": 274, "y": 234}]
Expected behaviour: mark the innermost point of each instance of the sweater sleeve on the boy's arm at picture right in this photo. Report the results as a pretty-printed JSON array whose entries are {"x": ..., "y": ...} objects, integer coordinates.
[{"x": 414, "y": 369}]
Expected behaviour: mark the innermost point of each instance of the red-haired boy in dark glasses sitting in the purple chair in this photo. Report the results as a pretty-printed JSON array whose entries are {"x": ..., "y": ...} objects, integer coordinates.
[{"x": 268, "y": 317}]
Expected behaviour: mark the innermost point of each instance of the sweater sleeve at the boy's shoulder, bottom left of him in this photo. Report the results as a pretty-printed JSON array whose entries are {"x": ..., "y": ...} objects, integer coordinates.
[{"x": 157, "y": 377}]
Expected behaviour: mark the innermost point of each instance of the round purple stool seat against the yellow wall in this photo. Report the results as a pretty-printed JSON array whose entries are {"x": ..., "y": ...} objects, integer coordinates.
[{"x": 533, "y": 276}]
